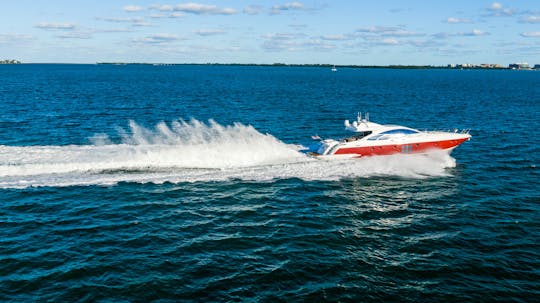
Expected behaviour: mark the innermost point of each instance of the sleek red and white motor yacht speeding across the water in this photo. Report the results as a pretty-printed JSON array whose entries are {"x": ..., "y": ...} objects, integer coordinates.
[{"x": 372, "y": 139}]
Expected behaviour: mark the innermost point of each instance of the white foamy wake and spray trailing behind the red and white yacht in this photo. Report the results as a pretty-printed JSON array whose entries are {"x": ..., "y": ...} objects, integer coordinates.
[{"x": 189, "y": 152}]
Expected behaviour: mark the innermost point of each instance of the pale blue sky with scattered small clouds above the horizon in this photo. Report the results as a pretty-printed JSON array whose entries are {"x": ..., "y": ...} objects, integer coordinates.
[{"x": 379, "y": 32}]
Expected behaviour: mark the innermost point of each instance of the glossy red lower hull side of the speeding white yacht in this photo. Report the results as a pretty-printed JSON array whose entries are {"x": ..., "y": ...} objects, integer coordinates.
[{"x": 411, "y": 148}]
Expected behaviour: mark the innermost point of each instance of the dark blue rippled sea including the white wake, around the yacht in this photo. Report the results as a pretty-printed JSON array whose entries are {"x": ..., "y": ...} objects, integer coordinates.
[{"x": 140, "y": 183}]
